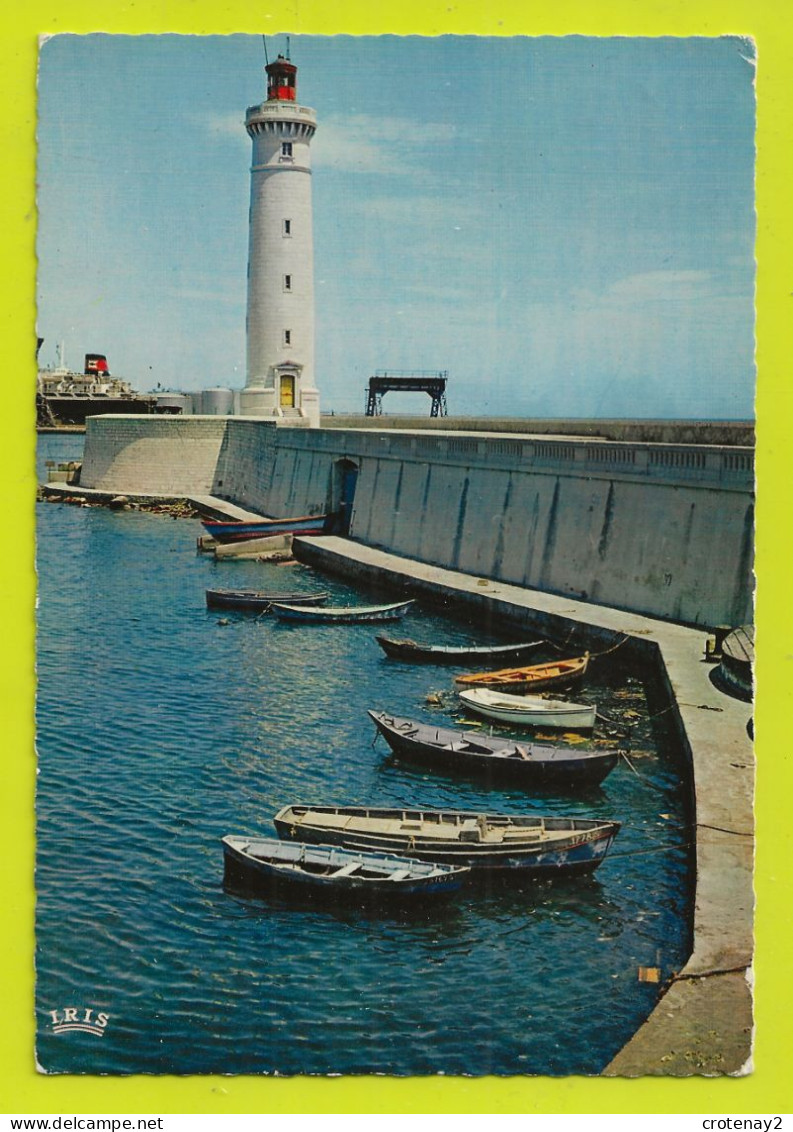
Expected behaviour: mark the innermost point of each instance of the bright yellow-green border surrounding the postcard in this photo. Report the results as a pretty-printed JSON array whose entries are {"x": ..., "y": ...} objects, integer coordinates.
[{"x": 768, "y": 1090}]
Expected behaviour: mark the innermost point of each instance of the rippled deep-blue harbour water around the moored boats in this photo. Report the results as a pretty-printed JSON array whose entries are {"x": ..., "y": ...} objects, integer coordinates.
[{"x": 163, "y": 726}]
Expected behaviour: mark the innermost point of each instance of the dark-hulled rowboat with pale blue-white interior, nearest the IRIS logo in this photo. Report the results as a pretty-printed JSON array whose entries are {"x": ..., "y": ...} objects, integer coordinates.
[{"x": 274, "y": 865}]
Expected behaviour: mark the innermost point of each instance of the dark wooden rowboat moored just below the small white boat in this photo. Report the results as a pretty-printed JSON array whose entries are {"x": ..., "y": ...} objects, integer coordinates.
[{"x": 498, "y": 758}]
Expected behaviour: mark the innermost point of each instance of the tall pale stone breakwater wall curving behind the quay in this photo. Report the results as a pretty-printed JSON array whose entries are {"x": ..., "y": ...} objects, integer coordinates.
[{"x": 658, "y": 529}]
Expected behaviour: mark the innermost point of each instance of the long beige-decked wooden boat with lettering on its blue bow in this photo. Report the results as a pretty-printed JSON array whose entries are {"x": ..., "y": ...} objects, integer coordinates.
[{"x": 524, "y": 844}]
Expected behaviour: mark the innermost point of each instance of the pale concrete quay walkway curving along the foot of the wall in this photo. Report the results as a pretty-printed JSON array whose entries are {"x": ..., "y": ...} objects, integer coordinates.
[{"x": 703, "y": 1023}]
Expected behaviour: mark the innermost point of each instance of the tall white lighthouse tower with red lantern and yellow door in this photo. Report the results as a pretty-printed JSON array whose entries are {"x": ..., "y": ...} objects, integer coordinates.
[{"x": 280, "y": 380}]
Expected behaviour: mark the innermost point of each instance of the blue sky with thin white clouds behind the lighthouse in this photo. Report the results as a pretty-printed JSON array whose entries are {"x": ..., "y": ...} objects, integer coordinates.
[{"x": 564, "y": 225}]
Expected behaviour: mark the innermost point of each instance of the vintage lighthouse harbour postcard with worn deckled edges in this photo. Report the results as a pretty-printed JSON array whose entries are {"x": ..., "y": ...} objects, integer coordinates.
[{"x": 395, "y": 552}]
